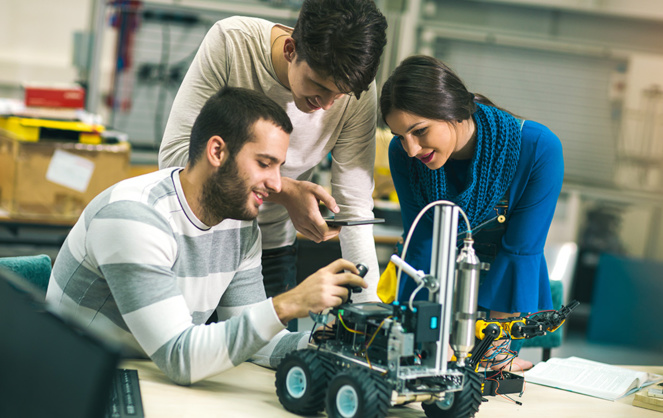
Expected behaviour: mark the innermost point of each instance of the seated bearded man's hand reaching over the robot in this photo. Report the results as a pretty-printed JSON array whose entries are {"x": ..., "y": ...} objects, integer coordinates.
[{"x": 323, "y": 289}]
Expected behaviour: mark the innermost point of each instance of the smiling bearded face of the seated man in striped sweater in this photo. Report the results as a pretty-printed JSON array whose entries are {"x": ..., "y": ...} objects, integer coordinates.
[{"x": 238, "y": 188}]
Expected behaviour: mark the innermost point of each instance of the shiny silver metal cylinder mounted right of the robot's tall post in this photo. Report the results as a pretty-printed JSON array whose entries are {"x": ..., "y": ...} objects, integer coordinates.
[{"x": 466, "y": 294}]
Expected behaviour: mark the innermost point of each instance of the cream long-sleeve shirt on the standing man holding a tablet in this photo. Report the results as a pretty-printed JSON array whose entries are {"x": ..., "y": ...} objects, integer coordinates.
[{"x": 237, "y": 52}]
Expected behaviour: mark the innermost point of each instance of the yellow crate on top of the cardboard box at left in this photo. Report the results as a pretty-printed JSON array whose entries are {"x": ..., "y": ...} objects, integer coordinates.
[{"x": 30, "y": 129}]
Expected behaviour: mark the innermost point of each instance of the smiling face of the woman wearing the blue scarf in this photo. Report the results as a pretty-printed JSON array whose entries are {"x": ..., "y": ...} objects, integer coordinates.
[{"x": 433, "y": 142}]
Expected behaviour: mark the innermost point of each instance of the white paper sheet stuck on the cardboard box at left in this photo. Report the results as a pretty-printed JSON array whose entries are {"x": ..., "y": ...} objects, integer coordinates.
[{"x": 70, "y": 170}]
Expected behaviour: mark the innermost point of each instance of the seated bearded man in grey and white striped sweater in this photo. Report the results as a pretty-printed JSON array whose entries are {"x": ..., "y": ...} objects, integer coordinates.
[{"x": 151, "y": 258}]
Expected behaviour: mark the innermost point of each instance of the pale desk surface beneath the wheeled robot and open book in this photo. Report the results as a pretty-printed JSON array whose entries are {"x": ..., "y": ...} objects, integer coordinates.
[{"x": 248, "y": 391}]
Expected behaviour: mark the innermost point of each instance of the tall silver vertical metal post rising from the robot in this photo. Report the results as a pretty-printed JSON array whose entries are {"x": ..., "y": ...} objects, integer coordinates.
[{"x": 443, "y": 267}]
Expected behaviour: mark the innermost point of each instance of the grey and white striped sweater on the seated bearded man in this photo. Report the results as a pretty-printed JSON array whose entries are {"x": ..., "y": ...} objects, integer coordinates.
[{"x": 139, "y": 266}]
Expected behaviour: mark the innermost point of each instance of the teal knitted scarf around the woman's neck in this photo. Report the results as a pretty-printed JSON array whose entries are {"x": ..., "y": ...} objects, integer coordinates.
[{"x": 490, "y": 172}]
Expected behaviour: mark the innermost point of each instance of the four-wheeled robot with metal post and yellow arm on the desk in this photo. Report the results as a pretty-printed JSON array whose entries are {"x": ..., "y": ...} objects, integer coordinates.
[{"x": 378, "y": 355}]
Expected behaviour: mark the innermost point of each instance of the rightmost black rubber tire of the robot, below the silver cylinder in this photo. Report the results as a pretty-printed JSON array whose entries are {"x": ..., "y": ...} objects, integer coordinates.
[{"x": 463, "y": 404}]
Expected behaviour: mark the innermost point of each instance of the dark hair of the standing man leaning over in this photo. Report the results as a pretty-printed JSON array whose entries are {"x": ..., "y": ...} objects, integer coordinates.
[{"x": 342, "y": 39}]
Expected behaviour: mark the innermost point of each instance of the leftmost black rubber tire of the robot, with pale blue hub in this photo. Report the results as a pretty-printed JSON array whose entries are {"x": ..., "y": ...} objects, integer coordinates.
[{"x": 315, "y": 377}]
